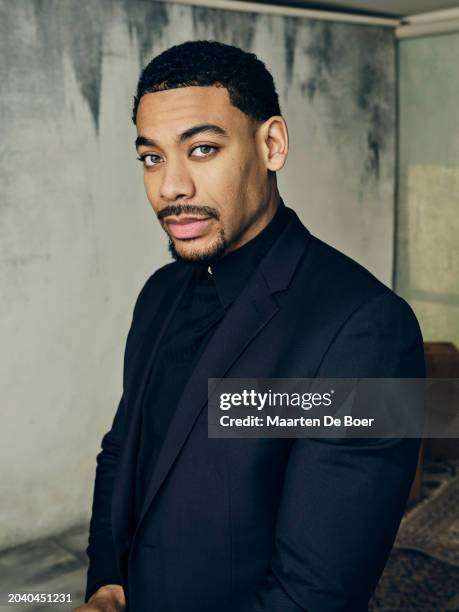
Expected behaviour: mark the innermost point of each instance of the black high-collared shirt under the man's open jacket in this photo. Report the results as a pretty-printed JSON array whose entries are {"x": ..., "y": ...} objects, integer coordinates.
[{"x": 211, "y": 291}]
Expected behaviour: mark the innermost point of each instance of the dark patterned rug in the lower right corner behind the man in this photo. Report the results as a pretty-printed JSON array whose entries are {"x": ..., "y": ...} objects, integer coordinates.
[{"x": 422, "y": 574}]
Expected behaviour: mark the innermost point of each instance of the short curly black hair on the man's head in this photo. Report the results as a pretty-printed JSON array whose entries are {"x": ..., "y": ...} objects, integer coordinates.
[{"x": 207, "y": 62}]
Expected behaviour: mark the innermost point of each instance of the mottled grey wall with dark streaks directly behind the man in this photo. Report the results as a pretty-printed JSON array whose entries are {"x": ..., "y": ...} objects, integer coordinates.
[{"x": 78, "y": 238}]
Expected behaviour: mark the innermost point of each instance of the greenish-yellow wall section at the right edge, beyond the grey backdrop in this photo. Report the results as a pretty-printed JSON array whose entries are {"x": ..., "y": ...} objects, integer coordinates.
[{"x": 427, "y": 266}]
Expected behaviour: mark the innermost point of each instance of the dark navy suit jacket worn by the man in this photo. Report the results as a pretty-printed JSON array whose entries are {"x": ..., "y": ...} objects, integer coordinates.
[{"x": 259, "y": 525}]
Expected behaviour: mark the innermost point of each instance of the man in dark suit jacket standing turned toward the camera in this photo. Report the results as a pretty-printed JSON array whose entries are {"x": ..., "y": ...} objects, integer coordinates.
[{"x": 184, "y": 523}]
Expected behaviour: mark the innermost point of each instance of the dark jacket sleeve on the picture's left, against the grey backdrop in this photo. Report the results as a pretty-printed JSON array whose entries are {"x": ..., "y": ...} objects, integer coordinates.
[{"x": 103, "y": 567}]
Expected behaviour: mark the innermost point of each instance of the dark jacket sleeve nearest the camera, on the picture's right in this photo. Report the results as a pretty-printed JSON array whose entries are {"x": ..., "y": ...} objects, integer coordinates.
[{"x": 343, "y": 500}]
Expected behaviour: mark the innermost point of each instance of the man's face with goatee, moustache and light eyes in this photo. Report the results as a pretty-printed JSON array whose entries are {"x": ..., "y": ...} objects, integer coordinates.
[{"x": 205, "y": 173}]
